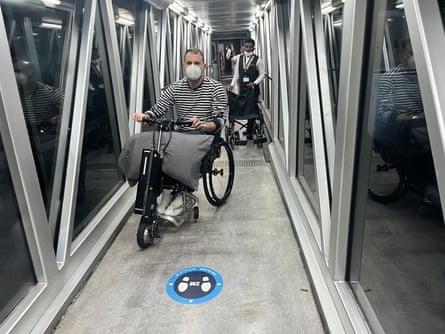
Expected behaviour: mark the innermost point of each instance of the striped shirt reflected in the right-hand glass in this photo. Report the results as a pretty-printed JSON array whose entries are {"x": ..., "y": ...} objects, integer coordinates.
[{"x": 398, "y": 93}]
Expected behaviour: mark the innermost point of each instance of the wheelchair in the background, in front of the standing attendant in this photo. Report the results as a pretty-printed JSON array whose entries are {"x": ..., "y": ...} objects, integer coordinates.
[{"x": 243, "y": 108}]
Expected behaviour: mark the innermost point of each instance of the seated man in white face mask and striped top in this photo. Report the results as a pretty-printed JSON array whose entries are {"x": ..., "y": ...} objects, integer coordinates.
[{"x": 197, "y": 98}]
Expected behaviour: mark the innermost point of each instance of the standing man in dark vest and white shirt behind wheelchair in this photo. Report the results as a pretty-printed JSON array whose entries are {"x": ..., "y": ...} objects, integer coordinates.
[{"x": 248, "y": 74}]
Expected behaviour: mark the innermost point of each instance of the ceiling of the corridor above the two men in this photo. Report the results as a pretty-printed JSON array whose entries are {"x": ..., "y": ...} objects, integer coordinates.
[{"x": 224, "y": 15}]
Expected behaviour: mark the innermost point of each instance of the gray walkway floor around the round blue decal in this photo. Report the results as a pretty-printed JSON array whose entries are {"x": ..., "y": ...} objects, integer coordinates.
[{"x": 248, "y": 241}]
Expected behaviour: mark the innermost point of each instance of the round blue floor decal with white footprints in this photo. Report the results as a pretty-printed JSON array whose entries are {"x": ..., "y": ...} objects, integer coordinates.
[{"x": 194, "y": 285}]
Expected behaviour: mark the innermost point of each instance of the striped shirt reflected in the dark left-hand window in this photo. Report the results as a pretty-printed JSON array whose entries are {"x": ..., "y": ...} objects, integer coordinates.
[{"x": 43, "y": 104}]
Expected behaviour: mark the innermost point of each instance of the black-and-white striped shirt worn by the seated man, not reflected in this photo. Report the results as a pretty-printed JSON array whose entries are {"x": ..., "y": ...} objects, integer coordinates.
[{"x": 206, "y": 102}]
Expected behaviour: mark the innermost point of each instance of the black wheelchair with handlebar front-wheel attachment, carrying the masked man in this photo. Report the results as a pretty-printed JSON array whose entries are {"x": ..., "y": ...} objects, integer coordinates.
[{"x": 217, "y": 170}]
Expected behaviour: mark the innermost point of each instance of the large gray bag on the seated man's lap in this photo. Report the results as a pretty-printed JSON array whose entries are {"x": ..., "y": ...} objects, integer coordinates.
[{"x": 182, "y": 157}]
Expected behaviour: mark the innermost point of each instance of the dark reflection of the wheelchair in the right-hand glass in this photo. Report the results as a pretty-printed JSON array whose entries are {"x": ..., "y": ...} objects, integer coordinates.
[{"x": 399, "y": 164}]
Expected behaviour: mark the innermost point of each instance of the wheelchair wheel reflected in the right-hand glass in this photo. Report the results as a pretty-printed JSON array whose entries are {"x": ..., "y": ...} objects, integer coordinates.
[{"x": 386, "y": 182}]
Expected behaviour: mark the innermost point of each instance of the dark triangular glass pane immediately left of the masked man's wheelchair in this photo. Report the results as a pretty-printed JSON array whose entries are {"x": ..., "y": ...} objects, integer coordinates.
[{"x": 99, "y": 175}]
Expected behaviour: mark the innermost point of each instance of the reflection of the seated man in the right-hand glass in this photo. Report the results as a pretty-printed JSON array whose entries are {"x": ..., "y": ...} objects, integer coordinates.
[{"x": 401, "y": 134}]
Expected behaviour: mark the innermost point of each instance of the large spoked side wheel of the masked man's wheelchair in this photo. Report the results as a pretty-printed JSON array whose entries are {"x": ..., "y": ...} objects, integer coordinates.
[{"x": 218, "y": 180}]
